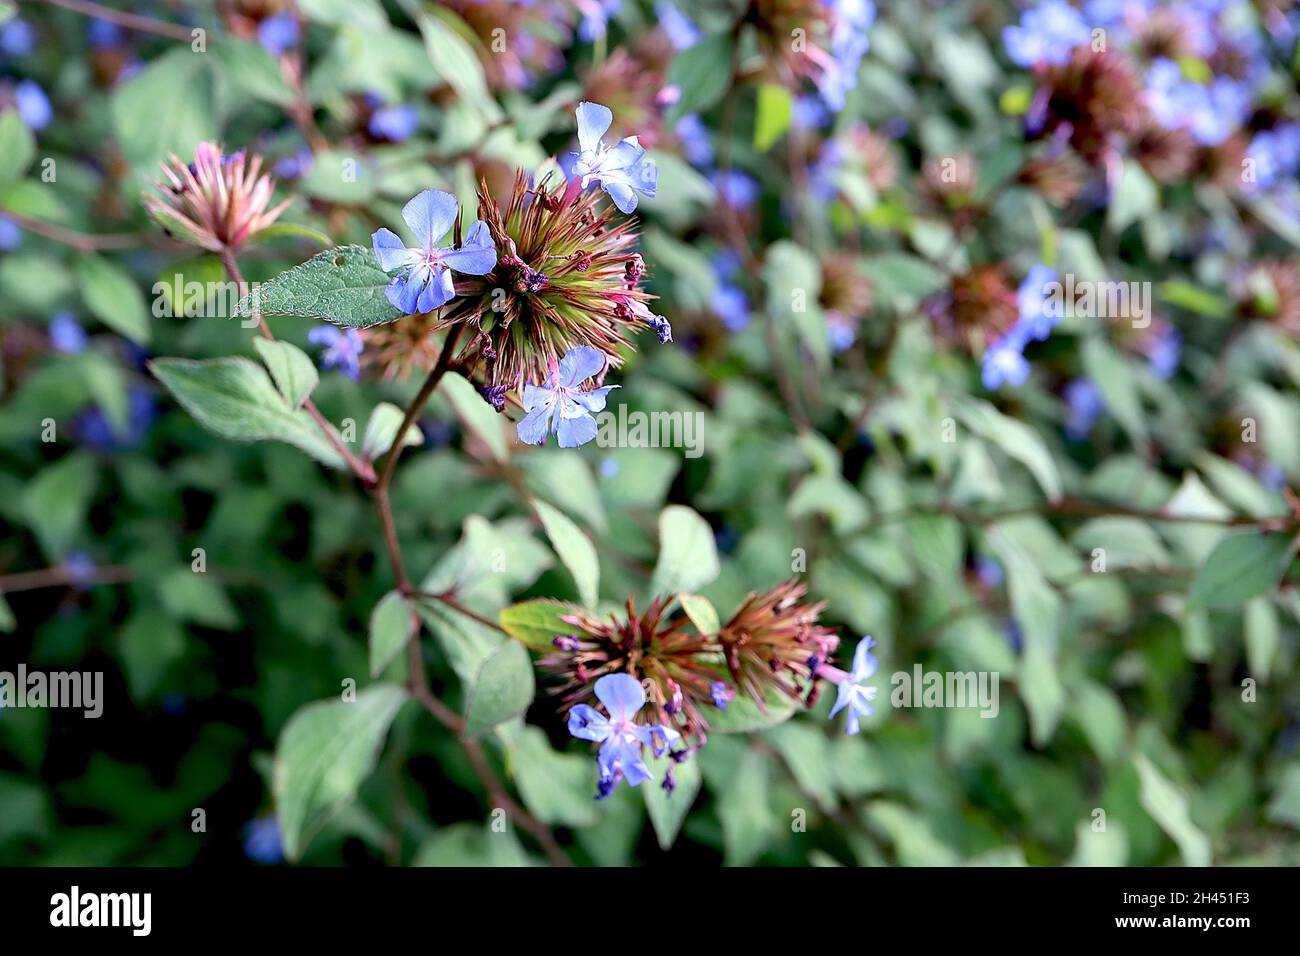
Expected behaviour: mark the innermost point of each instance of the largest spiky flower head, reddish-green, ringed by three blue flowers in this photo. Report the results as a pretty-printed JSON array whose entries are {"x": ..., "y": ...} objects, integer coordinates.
[{"x": 566, "y": 276}]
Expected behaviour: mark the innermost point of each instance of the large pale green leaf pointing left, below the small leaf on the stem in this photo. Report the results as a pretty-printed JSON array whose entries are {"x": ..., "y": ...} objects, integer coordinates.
[{"x": 235, "y": 399}]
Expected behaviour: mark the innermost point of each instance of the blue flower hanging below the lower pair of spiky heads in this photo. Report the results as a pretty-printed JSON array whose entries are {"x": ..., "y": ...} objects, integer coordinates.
[{"x": 621, "y": 737}]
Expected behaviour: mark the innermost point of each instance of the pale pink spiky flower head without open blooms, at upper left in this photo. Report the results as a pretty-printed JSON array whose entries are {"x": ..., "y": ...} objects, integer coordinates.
[{"x": 218, "y": 202}]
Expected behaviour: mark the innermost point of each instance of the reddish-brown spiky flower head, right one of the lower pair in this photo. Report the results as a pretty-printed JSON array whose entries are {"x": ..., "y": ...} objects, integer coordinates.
[{"x": 774, "y": 644}]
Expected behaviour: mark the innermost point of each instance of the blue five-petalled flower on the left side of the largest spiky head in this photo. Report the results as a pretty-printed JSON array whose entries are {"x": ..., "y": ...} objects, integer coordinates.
[{"x": 427, "y": 284}]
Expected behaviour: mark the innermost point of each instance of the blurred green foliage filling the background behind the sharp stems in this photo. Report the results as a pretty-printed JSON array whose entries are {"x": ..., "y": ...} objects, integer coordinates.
[{"x": 824, "y": 438}]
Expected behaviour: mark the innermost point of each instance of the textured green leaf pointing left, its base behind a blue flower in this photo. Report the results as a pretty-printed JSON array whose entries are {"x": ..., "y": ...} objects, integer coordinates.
[{"x": 343, "y": 285}]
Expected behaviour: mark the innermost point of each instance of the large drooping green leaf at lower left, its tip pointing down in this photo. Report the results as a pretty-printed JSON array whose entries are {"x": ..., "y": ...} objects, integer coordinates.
[{"x": 324, "y": 755}]
